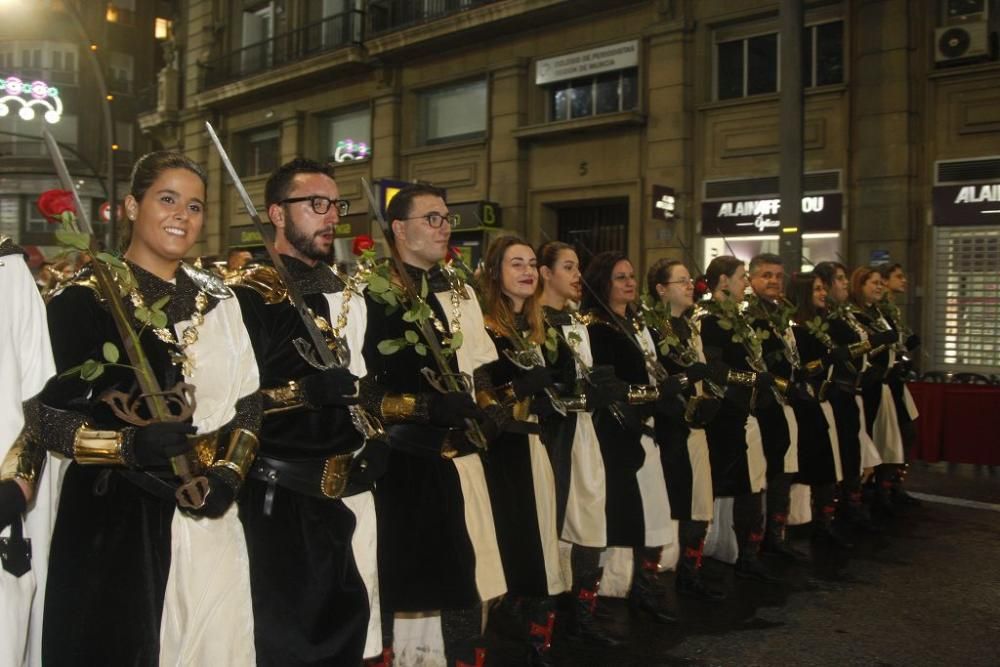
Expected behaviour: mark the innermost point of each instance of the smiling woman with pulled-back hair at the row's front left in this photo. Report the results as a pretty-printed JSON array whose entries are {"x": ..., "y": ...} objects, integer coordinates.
[{"x": 137, "y": 575}]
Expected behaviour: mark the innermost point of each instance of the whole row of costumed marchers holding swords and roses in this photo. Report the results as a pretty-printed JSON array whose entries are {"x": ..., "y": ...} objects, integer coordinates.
[{"x": 291, "y": 465}]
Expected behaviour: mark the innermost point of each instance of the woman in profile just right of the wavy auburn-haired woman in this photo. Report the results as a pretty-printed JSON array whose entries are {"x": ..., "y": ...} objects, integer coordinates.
[{"x": 571, "y": 439}]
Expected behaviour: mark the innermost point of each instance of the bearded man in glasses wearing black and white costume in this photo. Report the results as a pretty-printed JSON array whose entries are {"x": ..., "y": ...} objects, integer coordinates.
[{"x": 307, "y": 508}]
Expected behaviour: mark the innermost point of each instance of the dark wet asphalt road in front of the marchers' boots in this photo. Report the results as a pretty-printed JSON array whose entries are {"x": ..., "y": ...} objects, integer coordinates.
[{"x": 925, "y": 592}]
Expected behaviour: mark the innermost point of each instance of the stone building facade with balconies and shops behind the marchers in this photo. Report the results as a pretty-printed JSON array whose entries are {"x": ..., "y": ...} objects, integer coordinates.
[{"x": 571, "y": 119}]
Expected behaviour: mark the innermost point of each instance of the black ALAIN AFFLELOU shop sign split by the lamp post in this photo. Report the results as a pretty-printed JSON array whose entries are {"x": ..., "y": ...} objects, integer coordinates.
[{"x": 750, "y": 217}]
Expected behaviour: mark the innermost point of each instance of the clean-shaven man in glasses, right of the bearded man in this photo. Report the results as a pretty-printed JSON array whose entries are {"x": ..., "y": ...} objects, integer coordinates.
[{"x": 438, "y": 554}]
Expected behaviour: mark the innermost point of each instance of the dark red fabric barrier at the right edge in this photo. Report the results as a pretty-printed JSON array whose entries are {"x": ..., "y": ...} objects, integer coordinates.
[{"x": 958, "y": 423}]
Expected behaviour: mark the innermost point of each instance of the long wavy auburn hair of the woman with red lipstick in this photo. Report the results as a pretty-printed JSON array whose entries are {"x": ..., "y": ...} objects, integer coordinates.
[{"x": 498, "y": 310}]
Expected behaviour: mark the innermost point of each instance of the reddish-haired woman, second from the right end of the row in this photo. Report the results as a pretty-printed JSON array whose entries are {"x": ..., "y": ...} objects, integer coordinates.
[{"x": 882, "y": 420}]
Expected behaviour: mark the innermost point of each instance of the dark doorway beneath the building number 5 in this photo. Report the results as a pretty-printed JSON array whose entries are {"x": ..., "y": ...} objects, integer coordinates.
[{"x": 594, "y": 228}]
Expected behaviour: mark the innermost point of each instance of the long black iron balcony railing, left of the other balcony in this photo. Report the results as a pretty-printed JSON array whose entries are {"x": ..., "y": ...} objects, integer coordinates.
[{"x": 331, "y": 33}]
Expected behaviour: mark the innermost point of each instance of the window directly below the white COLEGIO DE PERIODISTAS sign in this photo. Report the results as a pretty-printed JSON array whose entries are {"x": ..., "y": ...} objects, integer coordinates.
[{"x": 604, "y": 93}]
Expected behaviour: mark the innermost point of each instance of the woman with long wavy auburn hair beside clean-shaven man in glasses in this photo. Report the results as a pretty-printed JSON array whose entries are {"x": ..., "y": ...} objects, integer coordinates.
[{"x": 518, "y": 470}]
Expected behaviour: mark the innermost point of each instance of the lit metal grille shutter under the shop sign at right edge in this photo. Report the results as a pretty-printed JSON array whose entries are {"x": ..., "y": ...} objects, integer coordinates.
[{"x": 967, "y": 299}]
